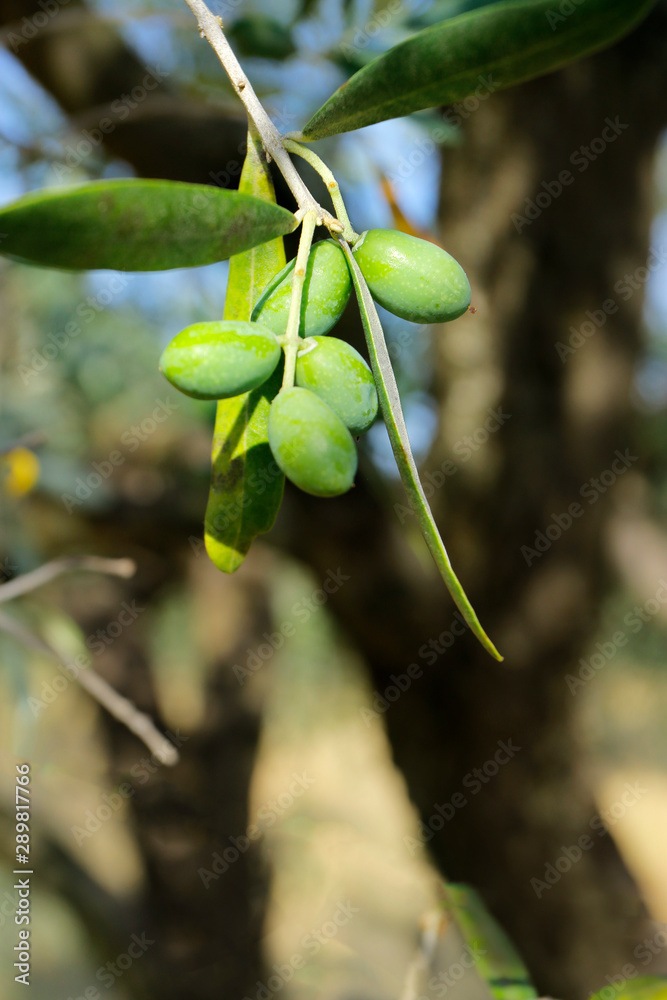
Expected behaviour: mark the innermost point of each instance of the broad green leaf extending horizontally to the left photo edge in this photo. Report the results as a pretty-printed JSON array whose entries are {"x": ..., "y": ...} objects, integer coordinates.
[{"x": 137, "y": 225}]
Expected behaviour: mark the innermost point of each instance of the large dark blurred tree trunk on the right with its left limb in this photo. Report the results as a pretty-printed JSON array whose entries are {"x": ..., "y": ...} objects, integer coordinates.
[{"x": 562, "y": 424}]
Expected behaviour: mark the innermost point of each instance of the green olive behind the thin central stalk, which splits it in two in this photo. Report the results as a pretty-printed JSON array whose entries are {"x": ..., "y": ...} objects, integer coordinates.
[{"x": 326, "y": 291}]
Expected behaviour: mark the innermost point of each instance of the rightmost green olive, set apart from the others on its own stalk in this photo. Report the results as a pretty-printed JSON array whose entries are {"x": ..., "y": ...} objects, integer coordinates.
[{"x": 412, "y": 278}]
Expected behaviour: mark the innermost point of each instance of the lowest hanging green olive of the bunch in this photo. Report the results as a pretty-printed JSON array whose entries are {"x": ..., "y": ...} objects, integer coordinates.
[{"x": 311, "y": 445}]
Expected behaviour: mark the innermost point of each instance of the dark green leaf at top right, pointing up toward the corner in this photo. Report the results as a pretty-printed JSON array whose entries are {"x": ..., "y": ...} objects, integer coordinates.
[{"x": 491, "y": 48}]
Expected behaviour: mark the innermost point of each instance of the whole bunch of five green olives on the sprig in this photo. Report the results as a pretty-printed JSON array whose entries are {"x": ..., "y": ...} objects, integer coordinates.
[{"x": 313, "y": 423}]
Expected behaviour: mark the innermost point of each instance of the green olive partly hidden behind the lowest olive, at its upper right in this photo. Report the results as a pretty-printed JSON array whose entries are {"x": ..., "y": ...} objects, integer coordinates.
[{"x": 338, "y": 374}]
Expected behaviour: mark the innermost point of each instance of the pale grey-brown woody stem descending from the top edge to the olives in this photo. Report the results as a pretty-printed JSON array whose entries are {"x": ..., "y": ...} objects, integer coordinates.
[{"x": 210, "y": 28}]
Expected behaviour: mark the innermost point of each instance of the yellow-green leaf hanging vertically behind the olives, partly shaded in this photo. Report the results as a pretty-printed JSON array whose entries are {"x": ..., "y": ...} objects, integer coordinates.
[{"x": 246, "y": 484}]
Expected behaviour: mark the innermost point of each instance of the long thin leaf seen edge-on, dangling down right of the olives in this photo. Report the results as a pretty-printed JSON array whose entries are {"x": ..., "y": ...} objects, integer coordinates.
[{"x": 390, "y": 404}]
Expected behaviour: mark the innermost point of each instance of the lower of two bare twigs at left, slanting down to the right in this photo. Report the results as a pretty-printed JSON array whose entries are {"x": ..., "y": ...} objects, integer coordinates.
[{"x": 120, "y": 707}]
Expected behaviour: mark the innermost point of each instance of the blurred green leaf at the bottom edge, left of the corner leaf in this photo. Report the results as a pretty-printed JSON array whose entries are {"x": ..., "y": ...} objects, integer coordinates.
[{"x": 496, "y": 959}]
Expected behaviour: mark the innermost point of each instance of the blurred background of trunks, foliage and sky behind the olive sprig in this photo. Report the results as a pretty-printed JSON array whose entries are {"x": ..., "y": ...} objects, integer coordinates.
[{"x": 344, "y": 748}]
